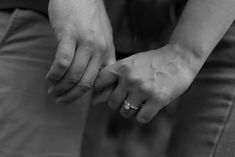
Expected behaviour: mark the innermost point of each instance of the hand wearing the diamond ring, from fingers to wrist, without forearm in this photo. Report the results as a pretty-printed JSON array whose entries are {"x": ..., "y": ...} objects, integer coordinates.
[{"x": 147, "y": 81}]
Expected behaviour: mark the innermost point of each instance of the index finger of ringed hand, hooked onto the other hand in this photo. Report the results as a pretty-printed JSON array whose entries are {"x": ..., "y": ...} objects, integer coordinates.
[{"x": 106, "y": 77}]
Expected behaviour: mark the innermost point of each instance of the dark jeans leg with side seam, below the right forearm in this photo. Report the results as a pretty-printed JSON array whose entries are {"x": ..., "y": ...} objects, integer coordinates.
[{"x": 205, "y": 125}]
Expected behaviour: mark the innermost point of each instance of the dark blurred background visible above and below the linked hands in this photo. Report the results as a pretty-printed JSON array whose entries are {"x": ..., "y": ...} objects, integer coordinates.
[{"x": 138, "y": 25}]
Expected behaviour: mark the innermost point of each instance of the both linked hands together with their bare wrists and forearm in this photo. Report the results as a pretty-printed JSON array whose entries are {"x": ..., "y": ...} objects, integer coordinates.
[{"x": 148, "y": 80}]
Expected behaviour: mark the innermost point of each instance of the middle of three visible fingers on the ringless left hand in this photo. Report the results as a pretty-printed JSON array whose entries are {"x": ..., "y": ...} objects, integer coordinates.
[{"x": 74, "y": 74}]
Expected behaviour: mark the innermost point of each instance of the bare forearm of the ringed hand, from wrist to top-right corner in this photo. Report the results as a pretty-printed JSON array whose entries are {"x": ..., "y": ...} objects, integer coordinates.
[{"x": 200, "y": 28}]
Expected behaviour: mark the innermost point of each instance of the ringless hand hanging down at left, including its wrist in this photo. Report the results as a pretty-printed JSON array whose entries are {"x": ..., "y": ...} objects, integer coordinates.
[{"x": 85, "y": 45}]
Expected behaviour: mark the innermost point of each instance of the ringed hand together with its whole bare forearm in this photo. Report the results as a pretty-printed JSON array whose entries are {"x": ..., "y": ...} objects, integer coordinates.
[{"x": 153, "y": 79}]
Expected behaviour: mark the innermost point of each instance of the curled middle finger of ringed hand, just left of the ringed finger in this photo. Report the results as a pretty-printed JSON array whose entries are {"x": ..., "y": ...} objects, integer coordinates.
[{"x": 117, "y": 97}]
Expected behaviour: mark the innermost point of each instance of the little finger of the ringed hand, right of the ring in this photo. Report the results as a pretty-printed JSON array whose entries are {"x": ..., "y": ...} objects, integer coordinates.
[{"x": 148, "y": 111}]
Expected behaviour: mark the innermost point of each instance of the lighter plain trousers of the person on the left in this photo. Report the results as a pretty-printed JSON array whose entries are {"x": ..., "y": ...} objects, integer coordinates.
[{"x": 31, "y": 124}]
